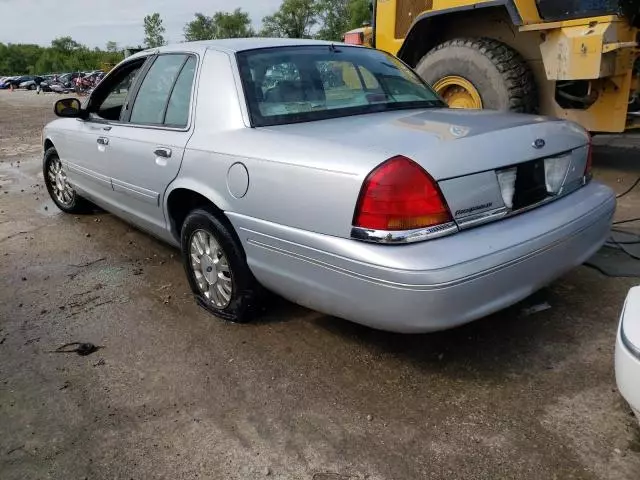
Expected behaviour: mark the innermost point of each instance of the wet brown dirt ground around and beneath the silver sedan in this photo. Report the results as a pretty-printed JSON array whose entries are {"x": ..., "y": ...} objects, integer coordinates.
[{"x": 175, "y": 393}]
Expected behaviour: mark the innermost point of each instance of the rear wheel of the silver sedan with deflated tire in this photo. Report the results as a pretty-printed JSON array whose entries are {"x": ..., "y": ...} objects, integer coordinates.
[{"x": 217, "y": 269}]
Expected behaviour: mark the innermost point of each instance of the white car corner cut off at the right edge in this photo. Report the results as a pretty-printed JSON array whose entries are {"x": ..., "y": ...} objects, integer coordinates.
[{"x": 628, "y": 351}]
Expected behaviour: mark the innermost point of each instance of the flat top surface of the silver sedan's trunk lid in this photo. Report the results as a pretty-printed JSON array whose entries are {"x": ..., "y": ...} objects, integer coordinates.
[{"x": 446, "y": 142}]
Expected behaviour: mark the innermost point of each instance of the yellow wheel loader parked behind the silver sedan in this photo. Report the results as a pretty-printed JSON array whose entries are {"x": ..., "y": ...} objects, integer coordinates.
[{"x": 573, "y": 59}]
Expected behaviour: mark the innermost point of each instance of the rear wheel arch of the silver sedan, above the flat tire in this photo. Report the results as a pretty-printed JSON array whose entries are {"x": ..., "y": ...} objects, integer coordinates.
[{"x": 183, "y": 197}]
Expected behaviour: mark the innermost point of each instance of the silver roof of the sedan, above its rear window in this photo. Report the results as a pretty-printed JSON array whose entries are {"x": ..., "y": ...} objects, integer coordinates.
[{"x": 233, "y": 45}]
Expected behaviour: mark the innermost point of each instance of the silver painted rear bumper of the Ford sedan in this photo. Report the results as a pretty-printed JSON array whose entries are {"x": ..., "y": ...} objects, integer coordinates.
[{"x": 433, "y": 285}]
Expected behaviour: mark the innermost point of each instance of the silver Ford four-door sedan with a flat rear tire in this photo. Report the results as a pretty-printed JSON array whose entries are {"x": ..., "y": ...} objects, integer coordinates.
[{"x": 331, "y": 175}]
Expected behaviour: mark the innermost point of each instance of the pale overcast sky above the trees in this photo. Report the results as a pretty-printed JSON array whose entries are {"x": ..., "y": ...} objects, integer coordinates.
[{"x": 95, "y": 22}]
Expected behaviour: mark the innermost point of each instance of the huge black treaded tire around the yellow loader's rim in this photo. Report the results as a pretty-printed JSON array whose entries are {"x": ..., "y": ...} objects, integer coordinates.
[{"x": 501, "y": 76}]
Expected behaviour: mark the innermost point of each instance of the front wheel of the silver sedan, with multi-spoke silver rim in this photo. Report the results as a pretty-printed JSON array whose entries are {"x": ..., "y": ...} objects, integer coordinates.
[{"x": 60, "y": 190}]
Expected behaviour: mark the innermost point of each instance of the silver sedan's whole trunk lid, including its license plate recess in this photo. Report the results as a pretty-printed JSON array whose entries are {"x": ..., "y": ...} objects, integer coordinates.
[{"x": 488, "y": 165}]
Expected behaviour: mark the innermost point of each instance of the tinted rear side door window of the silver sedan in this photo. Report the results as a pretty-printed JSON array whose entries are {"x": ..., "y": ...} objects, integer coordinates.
[{"x": 152, "y": 100}]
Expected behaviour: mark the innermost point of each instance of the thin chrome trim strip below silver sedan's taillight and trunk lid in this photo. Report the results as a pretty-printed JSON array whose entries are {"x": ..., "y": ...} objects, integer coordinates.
[{"x": 420, "y": 235}]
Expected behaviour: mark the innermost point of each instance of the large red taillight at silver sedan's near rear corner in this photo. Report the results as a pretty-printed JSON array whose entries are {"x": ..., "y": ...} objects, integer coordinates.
[{"x": 400, "y": 195}]
